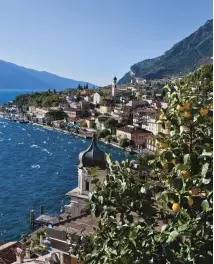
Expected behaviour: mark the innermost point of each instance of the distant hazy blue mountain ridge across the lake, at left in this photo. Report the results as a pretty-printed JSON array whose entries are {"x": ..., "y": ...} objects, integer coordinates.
[{"x": 14, "y": 77}]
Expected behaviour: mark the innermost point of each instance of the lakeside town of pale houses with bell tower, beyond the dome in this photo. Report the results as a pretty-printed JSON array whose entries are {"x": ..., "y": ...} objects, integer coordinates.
[{"x": 126, "y": 116}]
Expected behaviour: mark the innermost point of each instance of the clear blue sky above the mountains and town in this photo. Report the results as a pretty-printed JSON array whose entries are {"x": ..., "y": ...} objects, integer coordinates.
[{"x": 93, "y": 40}]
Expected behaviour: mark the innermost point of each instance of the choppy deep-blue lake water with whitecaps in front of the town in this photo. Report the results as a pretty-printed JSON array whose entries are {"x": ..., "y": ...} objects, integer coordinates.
[{"x": 37, "y": 167}]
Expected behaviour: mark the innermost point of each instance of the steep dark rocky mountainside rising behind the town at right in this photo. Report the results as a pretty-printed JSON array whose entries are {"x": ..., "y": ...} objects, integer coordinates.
[{"x": 184, "y": 57}]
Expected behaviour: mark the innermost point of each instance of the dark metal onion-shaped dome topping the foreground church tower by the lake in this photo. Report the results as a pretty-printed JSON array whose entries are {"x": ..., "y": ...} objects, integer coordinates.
[{"x": 93, "y": 156}]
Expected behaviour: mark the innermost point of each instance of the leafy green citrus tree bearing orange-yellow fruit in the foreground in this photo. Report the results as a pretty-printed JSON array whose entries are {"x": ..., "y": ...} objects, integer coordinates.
[{"x": 168, "y": 218}]
